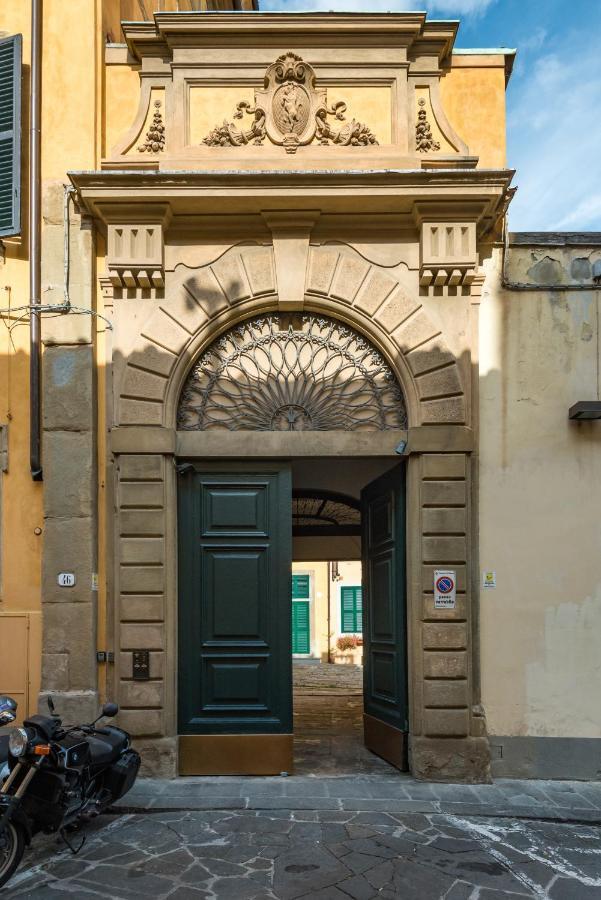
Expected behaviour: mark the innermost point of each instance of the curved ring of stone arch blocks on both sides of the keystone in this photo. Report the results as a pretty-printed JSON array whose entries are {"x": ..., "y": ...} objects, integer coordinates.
[{"x": 205, "y": 303}]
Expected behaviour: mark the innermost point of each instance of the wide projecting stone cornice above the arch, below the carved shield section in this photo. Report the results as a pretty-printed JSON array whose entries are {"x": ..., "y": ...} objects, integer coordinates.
[{"x": 346, "y": 192}]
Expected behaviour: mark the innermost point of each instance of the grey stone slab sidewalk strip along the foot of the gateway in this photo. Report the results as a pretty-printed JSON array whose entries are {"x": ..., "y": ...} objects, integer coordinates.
[{"x": 506, "y": 798}]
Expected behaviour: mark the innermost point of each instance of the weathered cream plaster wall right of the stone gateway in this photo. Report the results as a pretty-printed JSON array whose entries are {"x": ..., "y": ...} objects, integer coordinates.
[{"x": 540, "y": 495}]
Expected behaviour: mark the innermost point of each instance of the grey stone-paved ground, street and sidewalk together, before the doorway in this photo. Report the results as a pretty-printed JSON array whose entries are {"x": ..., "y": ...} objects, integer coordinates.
[{"x": 331, "y": 839}]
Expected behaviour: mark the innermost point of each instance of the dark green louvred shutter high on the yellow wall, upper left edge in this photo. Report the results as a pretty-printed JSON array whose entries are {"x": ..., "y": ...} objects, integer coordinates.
[{"x": 10, "y": 135}]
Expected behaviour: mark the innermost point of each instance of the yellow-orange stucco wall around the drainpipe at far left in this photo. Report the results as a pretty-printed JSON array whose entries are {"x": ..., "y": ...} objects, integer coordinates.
[{"x": 70, "y": 137}]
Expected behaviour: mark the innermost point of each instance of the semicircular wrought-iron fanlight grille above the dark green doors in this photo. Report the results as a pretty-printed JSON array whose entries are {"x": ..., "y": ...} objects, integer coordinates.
[{"x": 291, "y": 373}]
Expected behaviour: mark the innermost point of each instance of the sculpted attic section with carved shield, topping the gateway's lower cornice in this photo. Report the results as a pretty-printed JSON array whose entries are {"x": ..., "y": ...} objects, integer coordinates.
[{"x": 220, "y": 91}]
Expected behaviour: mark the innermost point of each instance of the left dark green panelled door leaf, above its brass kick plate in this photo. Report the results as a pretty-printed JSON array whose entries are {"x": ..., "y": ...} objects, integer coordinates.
[{"x": 234, "y": 600}]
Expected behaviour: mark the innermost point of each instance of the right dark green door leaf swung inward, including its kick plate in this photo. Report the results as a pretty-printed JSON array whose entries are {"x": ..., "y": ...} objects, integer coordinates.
[{"x": 384, "y": 610}]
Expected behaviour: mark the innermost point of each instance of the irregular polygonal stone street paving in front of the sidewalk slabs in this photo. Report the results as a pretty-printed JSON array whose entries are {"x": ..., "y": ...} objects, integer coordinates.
[{"x": 317, "y": 855}]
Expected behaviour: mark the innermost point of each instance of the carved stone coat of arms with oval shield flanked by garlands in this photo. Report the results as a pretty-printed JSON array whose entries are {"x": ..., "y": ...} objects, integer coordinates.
[{"x": 291, "y": 111}]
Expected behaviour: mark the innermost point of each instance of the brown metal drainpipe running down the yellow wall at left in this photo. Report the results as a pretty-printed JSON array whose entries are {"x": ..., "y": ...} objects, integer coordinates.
[{"x": 35, "y": 444}]
